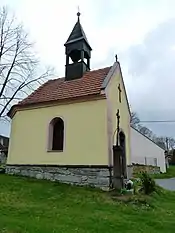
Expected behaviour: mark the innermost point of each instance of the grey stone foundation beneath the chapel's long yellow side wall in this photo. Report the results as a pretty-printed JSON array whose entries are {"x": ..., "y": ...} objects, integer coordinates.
[{"x": 89, "y": 176}]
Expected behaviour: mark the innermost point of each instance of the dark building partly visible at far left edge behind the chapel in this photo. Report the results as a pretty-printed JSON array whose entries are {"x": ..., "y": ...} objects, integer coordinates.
[{"x": 4, "y": 143}]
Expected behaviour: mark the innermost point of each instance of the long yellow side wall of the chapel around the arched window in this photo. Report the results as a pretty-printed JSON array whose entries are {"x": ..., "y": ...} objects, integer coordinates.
[{"x": 85, "y": 135}]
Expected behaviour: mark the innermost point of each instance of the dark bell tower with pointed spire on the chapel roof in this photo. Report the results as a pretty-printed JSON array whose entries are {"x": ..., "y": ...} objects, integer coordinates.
[{"x": 78, "y": 51}]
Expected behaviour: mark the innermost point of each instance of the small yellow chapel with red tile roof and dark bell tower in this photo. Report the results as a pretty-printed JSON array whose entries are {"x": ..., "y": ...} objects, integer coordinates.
[{"x": 68, "y": 125}]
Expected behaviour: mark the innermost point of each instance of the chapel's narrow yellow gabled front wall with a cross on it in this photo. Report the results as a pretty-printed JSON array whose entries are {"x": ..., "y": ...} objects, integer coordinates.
[{"x": 113, "y": 105}]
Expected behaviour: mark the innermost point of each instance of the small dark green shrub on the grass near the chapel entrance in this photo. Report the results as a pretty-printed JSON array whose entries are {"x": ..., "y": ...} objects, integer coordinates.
[{"x": 148, "y": 185}]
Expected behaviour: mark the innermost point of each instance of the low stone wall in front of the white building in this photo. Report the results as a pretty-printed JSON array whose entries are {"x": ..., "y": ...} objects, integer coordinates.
[{"x": 135, "y": 169}]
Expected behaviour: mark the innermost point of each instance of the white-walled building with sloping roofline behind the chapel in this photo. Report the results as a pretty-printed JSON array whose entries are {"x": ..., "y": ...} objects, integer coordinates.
[{"x": 145, "y": 151}]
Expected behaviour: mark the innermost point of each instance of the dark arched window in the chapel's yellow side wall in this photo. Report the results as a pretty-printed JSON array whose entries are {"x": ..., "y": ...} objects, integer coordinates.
[{"x": 56, "y": 134}]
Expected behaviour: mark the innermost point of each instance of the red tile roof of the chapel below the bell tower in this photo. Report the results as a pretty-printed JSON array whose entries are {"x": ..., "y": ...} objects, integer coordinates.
[{"x": 59, "y": 89}]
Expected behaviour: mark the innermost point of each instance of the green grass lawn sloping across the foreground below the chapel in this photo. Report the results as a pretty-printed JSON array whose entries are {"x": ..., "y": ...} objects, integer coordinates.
[{"x": 33, "y": 206}]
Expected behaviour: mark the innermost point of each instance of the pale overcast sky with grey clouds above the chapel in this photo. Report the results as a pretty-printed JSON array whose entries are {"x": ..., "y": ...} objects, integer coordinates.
[{"x": 141, "y": 32}]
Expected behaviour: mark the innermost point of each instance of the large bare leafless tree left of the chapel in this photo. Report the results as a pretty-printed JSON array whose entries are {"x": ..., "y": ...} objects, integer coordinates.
[{"x": 19, "y": 68}]
